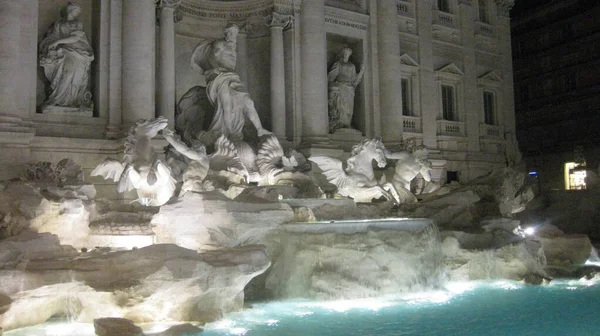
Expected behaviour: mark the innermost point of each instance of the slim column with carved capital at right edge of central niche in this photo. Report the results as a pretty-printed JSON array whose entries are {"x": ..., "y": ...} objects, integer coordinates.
[{"x": 278, "y": 22}]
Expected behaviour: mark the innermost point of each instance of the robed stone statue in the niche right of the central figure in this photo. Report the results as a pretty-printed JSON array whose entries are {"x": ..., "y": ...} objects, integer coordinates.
[{"x": 343, "y": 80}]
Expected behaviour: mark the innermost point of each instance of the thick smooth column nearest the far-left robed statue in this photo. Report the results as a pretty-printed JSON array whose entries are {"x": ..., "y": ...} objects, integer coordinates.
[{"x": 138, "y": 60}]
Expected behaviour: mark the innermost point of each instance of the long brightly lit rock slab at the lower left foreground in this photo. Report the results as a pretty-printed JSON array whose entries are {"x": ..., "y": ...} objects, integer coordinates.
[{"x": 161, "y": 282}]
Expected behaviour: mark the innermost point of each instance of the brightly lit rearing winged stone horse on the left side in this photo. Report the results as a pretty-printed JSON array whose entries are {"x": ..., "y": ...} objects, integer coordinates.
[{"x": 141, "y": 168}]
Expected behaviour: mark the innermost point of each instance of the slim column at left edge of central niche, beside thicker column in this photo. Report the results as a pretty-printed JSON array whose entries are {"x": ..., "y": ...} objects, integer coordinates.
[{"x": 166, "y": 72}]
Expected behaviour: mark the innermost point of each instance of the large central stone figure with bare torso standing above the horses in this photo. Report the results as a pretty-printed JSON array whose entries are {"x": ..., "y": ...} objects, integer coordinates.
[{"x": 229, "y": 98}]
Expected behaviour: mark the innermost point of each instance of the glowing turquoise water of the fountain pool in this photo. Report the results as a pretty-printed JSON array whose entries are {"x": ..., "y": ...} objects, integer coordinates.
[{"x": 473, "y": 308}]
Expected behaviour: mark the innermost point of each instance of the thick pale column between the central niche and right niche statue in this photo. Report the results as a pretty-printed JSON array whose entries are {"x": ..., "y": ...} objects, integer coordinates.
[{"x": 314, "y": 71}]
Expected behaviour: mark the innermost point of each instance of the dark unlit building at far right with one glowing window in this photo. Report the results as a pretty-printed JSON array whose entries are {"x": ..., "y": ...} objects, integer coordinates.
[{"x": 556, "y": 53}]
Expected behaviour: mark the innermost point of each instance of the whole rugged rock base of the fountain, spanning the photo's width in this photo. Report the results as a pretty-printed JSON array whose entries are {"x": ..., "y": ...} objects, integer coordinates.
[{"x": 64, "y": 254}]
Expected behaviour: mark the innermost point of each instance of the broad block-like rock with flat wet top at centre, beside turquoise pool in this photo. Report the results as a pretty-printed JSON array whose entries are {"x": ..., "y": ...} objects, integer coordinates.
[{"x": 351, "y": 259}]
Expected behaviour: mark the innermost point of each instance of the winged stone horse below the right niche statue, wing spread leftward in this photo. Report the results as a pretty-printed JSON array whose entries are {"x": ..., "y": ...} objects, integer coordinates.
[{"x": 357, "y": 180}]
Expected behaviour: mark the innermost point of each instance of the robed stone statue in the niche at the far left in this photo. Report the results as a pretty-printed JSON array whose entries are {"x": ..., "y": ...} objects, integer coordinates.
[{"x": 66, "y": 55}]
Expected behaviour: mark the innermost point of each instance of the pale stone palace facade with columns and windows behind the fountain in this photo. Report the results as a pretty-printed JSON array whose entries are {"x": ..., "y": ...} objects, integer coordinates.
[{"x": 436, "y": 71}]
